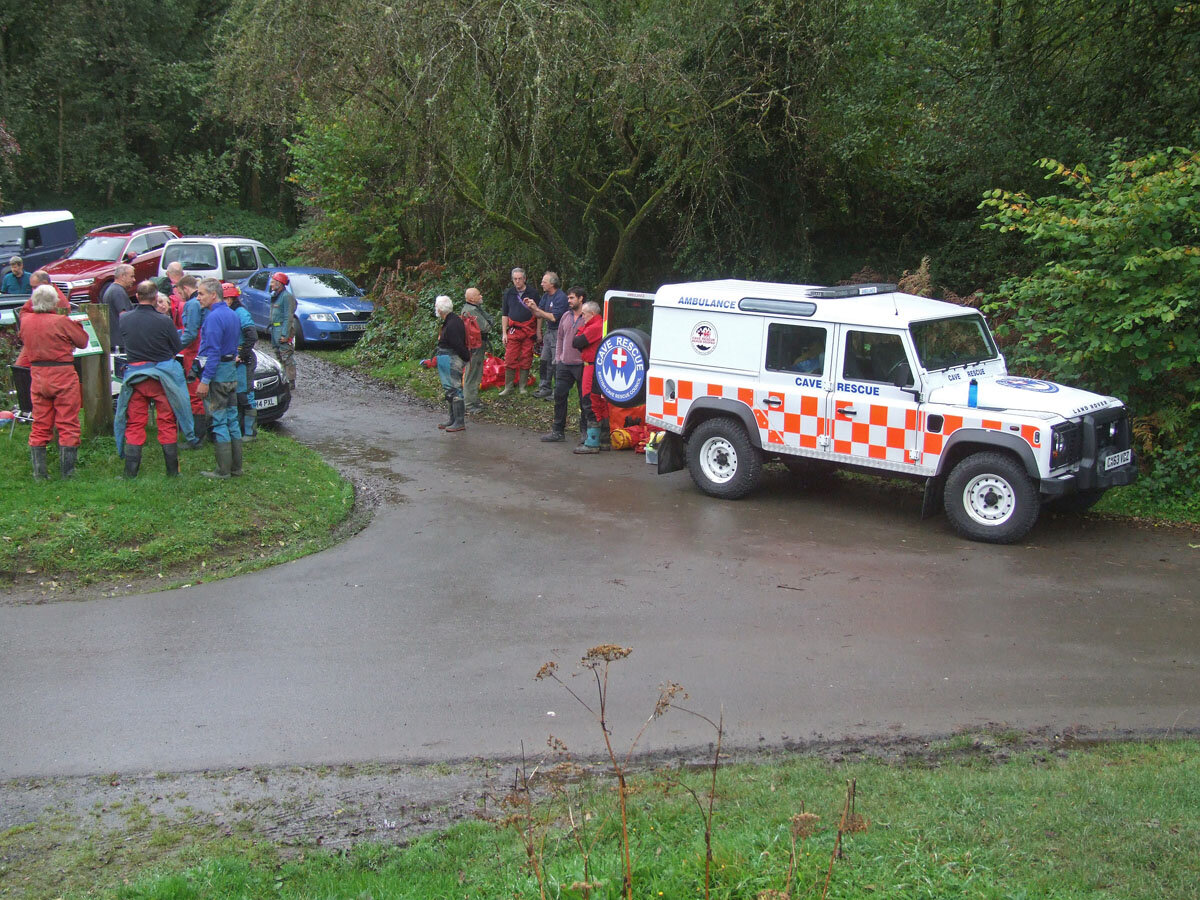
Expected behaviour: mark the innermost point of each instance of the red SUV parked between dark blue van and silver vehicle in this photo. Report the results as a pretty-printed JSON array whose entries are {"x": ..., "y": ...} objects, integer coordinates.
[{"x": 88, "y": 269}]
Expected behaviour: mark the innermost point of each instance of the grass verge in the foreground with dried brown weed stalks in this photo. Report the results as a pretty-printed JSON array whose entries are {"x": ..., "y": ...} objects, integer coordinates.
[{"x": 1112, "y": 821}]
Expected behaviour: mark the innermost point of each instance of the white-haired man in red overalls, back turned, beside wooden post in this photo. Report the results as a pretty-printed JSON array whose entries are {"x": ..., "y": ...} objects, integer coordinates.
[{"x": 51, "y": 341}]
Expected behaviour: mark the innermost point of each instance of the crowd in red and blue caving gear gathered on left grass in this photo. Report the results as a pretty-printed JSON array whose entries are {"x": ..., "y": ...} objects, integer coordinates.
[{"x": 200, "y": 320}]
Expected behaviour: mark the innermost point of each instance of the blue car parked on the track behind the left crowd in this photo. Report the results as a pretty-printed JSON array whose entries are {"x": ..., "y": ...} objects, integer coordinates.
[{"x": 331, "y": 309}]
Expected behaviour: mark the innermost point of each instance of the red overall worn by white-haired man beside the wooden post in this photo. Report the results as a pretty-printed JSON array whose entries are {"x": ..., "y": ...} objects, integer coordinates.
[{"x": 50, "y": 346}]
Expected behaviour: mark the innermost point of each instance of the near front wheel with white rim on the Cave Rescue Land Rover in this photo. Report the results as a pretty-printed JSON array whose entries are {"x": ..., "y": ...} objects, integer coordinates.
[{"x": 989, "y": 497}]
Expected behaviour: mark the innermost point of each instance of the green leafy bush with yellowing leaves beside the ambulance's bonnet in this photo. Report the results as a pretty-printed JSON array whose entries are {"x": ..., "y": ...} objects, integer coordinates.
[{"x": 1114, "y": 307}]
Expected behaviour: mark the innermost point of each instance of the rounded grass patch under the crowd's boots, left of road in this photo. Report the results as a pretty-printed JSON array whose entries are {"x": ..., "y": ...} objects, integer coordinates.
[{"x": 101, "y": 529}]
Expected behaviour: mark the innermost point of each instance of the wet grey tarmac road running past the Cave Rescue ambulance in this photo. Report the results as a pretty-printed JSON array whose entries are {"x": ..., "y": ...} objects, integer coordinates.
[{"x": 800, "y": 615}]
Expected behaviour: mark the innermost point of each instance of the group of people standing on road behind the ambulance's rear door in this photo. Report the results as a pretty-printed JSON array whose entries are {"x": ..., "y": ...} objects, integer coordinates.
[{"x": 566, "y": 325}]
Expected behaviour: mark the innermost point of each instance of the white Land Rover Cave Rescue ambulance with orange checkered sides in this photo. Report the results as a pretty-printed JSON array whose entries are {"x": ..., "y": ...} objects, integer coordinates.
[{"x": 869, "y": 379}]
